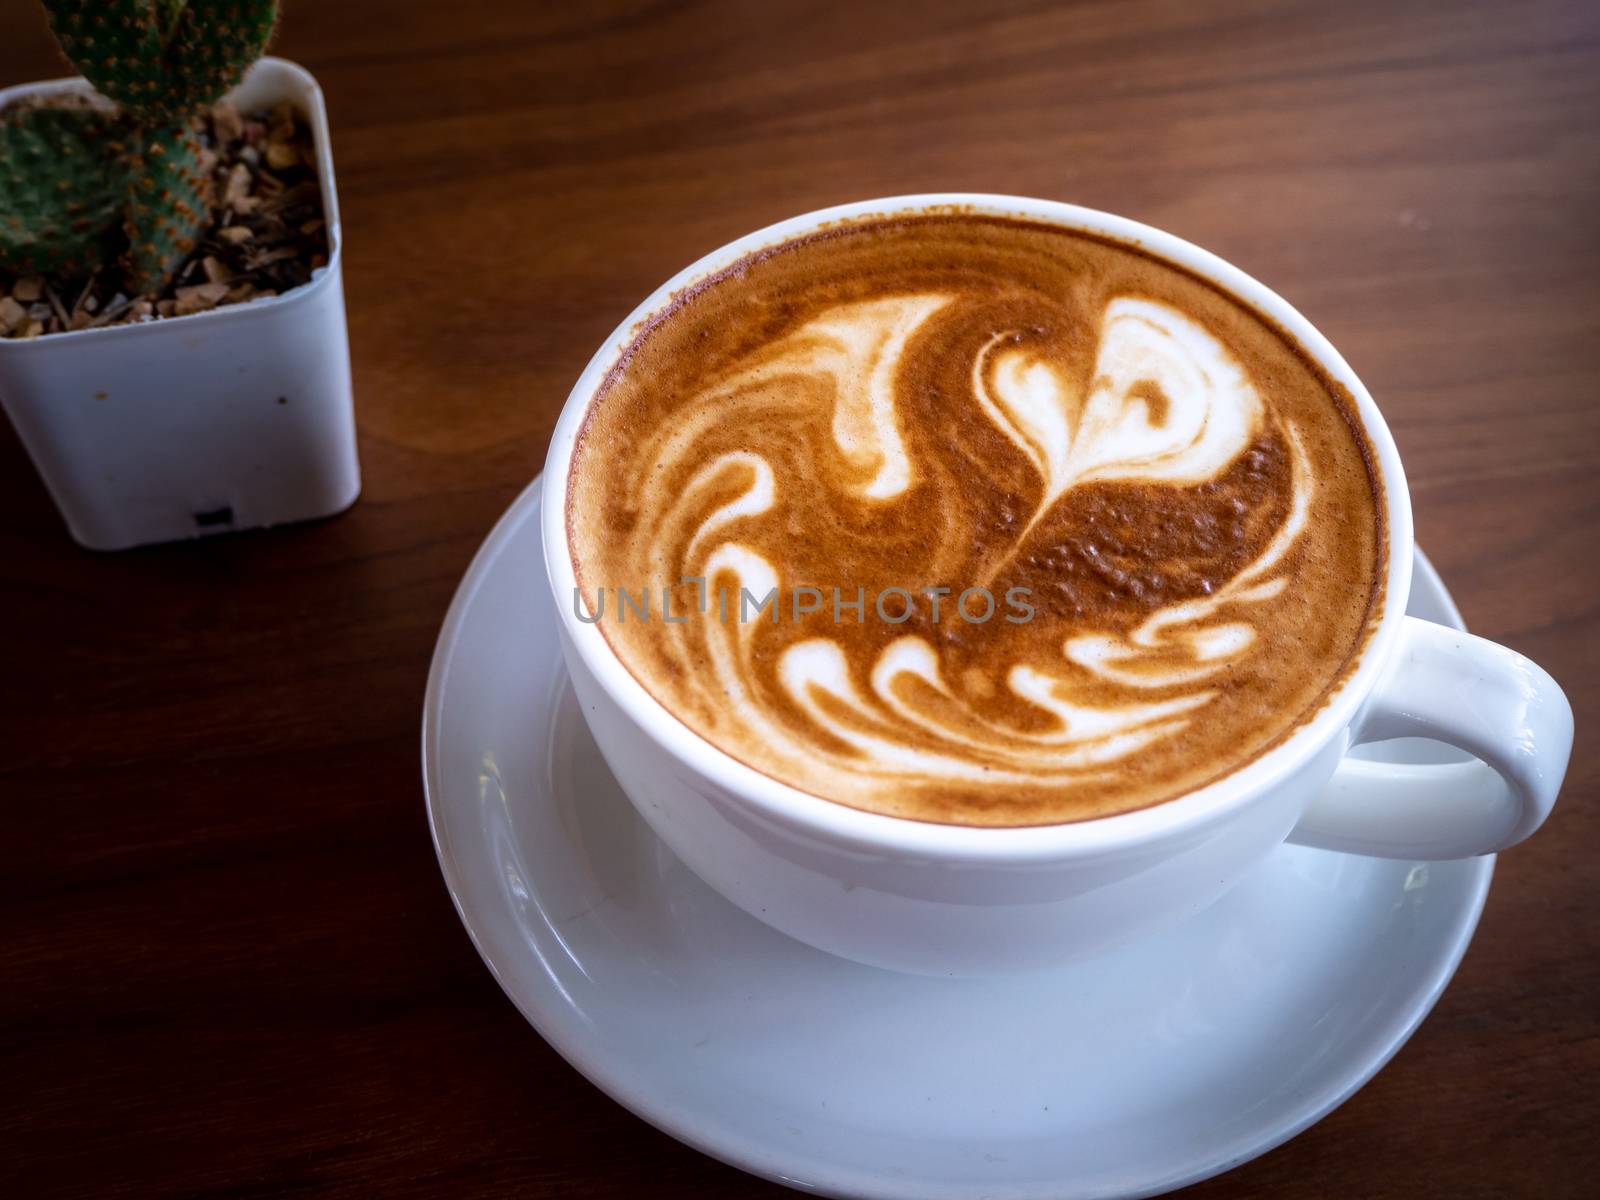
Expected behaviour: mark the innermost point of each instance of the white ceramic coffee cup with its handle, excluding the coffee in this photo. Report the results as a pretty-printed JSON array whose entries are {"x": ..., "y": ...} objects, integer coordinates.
[{"x": 956, "y": 900}]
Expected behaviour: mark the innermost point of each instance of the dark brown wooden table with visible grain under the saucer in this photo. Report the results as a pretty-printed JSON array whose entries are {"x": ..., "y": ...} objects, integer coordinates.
[{"x": 230, "y": 966}]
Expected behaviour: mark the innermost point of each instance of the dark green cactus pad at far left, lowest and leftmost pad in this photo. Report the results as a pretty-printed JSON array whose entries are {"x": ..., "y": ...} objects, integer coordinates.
[{"x": 62, "y": 194}]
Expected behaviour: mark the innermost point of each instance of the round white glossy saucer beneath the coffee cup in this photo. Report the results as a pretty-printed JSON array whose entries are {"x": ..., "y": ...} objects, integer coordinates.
[{"x": 1134, "y": 1074}]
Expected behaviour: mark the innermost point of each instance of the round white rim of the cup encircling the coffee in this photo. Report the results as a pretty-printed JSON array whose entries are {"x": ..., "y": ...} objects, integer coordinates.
[{"x": 810, "y": 815}]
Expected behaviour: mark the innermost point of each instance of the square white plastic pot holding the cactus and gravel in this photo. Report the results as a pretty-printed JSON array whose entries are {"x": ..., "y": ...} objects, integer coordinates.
[{"x": 188, "y": 426}]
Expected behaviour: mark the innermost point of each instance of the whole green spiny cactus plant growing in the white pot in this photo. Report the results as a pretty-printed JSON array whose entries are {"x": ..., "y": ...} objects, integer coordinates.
[{"x": 79, "y": 182}]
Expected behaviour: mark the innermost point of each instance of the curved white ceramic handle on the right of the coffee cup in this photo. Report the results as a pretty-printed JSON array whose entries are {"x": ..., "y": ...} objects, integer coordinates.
[{"x": 1470, "y": 694}]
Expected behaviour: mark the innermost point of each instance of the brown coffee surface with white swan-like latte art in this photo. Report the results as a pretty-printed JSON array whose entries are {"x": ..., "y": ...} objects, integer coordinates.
[{"x": 1169, "y": 511}]
